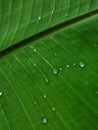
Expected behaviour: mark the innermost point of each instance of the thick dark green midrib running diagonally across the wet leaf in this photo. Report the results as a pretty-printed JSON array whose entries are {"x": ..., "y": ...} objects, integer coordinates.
[{"x": 46, "y": 32}]
